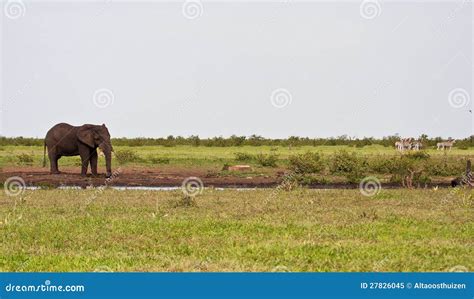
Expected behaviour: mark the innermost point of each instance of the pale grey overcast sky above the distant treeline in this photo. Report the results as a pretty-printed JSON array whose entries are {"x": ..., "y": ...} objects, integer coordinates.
[{"x": 272, "y": 68}]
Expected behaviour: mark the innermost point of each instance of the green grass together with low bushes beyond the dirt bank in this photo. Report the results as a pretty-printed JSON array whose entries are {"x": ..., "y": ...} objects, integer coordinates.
[{"x": 311, "y": 165}]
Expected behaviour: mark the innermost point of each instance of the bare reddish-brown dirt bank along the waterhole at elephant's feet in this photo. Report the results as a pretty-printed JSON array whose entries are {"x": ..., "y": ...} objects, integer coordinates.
[{"x": 171, "y": 177}]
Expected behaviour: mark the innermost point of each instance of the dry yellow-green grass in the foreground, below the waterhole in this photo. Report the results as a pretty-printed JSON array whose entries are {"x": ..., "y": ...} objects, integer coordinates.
[{"x": 257, "y": 230}]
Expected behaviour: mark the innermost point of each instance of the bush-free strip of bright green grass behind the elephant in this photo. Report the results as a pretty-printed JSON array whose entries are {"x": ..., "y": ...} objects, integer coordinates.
[{"x": 214, "y": 156}]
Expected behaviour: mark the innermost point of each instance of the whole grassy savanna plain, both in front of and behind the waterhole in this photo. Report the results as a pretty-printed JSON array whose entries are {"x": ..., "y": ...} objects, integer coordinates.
[{"x": 287, "y": 226}]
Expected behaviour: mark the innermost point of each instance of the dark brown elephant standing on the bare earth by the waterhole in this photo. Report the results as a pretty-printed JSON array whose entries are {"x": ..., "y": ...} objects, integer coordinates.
[{"x": 66, "y": 140}]
